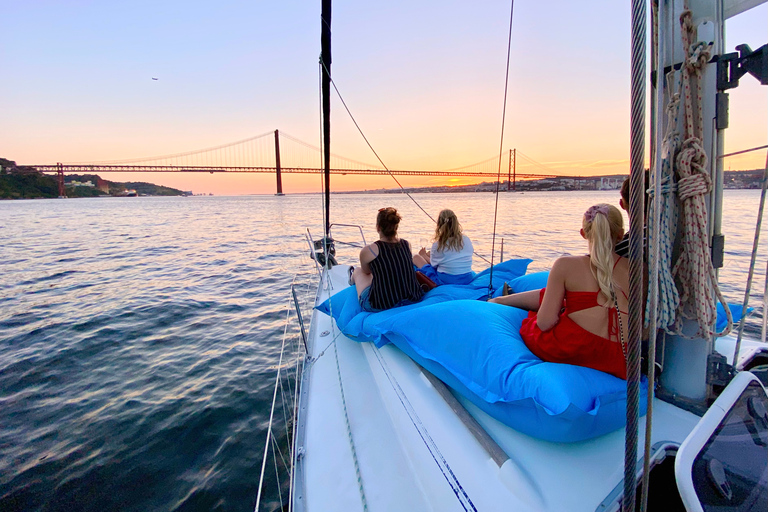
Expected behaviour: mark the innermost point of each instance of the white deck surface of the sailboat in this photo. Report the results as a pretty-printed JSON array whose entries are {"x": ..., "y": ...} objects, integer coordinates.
[{"x": 428, "y": 460}]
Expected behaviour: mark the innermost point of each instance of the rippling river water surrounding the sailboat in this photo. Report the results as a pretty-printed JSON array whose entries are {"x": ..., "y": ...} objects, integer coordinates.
[{"x": 139, "y": 336}]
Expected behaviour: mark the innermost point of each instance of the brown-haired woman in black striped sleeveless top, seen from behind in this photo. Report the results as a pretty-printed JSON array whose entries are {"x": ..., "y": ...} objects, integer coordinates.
[{"x": 386, "y": 278}]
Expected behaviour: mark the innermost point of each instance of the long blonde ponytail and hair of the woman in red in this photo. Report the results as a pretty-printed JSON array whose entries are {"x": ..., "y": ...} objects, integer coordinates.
[{"x": 603, "y": 226}]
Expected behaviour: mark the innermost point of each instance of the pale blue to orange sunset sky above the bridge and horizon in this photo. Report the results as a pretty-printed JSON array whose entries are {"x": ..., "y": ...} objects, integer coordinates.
[{"x": 424, "y": 79}]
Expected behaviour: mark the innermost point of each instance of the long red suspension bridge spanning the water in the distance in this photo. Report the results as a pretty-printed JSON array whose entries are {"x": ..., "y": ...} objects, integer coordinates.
[{"x": 279, "y": 153}]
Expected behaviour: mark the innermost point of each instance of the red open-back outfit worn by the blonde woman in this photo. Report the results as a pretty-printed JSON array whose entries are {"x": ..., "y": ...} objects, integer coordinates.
[{"x": 568, "y": 342}]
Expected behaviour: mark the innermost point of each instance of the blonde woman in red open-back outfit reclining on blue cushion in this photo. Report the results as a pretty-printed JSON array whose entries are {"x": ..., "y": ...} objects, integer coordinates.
[{"x": 580, "y": 317}]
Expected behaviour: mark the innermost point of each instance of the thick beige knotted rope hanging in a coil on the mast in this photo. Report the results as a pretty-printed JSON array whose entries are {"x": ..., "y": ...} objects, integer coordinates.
[{"x": 694, "y": 269}]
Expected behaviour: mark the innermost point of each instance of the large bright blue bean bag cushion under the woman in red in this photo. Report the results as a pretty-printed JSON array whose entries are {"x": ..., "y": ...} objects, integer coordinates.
[{"x": 475, "y": 348}]
